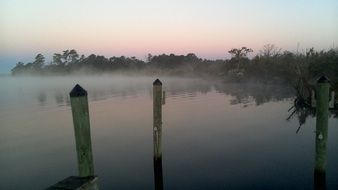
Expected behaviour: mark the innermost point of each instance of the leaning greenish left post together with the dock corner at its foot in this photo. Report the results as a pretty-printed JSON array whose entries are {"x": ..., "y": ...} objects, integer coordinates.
[{"x": 86, "y": 179}]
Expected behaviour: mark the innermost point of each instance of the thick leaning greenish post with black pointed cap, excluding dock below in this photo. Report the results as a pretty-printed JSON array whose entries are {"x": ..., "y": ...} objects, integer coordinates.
[{"x": 80, "y": 111}]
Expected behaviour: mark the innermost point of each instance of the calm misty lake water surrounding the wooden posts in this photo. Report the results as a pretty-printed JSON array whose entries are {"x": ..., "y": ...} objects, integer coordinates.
[{"x": 215, "y": 135}]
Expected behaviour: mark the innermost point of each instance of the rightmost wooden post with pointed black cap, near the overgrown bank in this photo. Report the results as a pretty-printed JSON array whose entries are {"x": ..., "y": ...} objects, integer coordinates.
[{"x": 322, "y": 111}]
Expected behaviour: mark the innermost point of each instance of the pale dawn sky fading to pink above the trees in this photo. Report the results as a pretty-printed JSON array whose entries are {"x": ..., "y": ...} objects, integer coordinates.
[{"x": 208, "y": 28}]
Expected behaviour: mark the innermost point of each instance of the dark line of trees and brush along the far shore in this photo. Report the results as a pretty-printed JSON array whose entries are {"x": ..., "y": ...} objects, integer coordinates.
[{"x": 269, "y": 64}]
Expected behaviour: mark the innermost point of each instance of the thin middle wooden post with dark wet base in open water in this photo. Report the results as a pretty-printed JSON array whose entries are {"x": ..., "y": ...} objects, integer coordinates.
[{"x": 157, "y": 133}]
